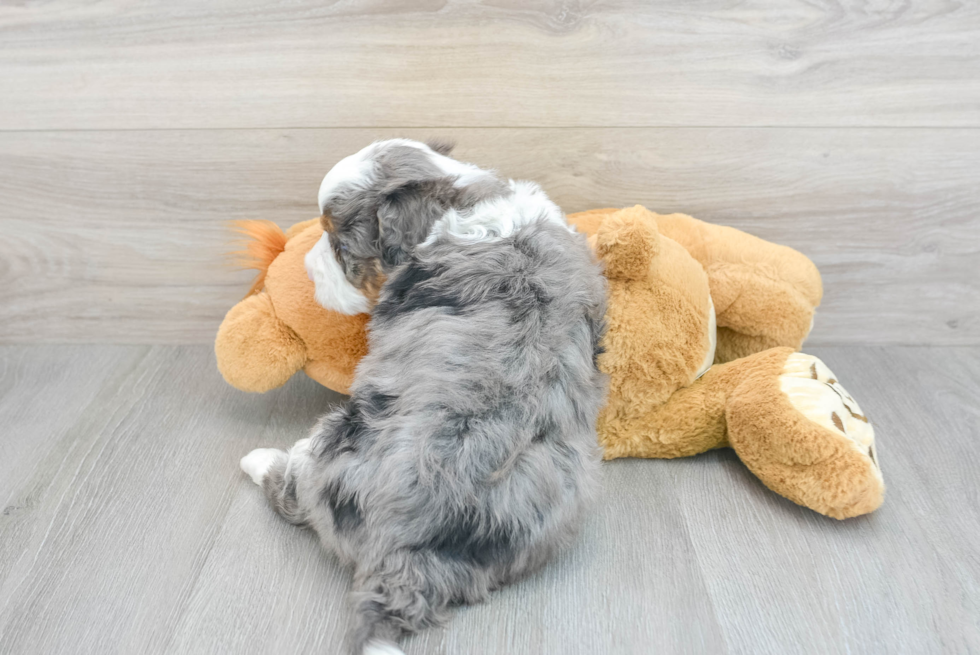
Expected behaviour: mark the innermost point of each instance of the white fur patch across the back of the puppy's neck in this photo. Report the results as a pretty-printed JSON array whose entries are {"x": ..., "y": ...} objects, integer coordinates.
[{"x": 499, "y": 217}]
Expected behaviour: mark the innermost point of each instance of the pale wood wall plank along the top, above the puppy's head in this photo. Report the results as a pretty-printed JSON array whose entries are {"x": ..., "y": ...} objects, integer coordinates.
[{"x": 544, "y": 63}]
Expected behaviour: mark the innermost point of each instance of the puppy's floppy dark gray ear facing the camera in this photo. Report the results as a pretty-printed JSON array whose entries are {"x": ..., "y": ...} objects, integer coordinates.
[{"x": 407, "y": 213}]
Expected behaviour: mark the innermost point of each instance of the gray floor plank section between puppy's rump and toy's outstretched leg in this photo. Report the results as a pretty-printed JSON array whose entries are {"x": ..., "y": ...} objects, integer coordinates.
[{"x": 632, "y": 585}]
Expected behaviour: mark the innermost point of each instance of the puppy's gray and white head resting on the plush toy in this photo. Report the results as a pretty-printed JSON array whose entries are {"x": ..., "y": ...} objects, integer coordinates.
[{"x": 377, "y": 205}]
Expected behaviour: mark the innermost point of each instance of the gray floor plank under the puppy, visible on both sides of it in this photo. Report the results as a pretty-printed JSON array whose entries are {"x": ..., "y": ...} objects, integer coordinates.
[{"x": 268, "y": 586}]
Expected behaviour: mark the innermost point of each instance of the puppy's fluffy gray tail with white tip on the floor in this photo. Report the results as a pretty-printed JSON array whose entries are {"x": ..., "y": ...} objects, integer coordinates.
[{"x": 409, "y": 591}]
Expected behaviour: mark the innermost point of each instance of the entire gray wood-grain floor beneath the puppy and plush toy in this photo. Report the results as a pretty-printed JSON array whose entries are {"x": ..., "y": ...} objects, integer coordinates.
[{"x": 134, "y": 531}]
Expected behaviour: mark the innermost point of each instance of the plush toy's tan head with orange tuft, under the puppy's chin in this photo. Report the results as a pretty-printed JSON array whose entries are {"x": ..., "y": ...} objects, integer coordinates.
[{"x": 279, "y": 329}]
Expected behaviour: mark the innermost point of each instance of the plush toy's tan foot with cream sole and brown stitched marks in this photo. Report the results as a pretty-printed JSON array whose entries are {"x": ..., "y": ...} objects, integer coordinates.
[{"x": 804, "y": 436}]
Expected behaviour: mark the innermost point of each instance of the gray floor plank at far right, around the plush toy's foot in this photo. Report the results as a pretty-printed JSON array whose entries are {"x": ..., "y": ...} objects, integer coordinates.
[{"x": 905, "y": 579}]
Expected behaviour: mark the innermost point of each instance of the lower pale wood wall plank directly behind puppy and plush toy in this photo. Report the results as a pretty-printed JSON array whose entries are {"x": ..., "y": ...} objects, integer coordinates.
[{"x": 120, "y": 236}]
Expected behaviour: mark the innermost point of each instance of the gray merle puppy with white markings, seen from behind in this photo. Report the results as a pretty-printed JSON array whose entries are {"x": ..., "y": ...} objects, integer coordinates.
[{"x": 467, "y": 452}]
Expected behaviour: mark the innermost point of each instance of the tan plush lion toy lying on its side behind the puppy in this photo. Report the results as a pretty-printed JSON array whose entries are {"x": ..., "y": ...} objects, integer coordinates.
[{"x": 703, "y": 325}]
